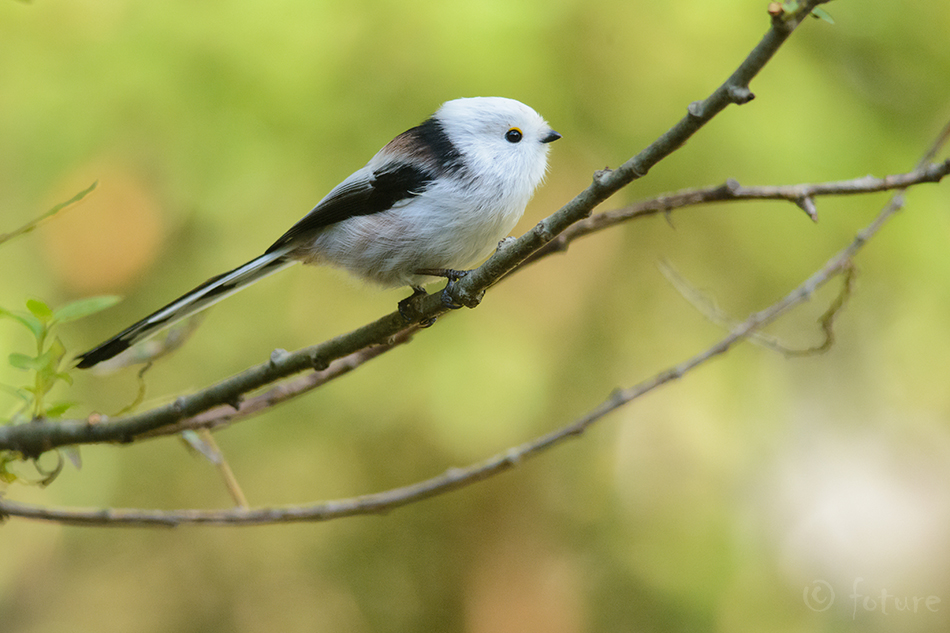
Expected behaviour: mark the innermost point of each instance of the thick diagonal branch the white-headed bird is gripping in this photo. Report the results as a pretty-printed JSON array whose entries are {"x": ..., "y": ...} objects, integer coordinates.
[{"x": 31, "y": 440}]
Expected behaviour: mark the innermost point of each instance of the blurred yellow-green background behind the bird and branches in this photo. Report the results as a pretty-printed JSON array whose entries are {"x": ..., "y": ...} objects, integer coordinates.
[{"x": 734, "y": 500}]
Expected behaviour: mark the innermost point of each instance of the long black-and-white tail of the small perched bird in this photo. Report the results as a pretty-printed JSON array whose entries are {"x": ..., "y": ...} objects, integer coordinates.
[{"x": 205, "y": 295}]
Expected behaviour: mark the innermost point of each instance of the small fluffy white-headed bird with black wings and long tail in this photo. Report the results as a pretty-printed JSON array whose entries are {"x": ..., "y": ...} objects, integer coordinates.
[{"x": 434, "y": 200}]
